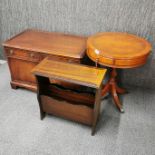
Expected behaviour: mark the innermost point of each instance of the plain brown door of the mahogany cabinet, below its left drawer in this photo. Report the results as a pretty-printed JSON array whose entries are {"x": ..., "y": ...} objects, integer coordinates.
[{"x": 21, "y": 70}]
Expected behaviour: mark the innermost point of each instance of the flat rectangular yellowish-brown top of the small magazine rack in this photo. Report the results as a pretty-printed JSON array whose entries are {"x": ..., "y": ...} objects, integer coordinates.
[{"x": 79, "y": 74}]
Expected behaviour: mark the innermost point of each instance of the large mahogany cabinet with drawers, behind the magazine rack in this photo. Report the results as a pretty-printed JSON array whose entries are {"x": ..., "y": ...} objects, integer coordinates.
[{"x": 27, "y": 49}]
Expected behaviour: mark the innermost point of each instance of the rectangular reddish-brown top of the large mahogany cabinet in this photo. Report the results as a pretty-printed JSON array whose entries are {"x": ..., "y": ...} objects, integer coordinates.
[{"x": 49, "y": 42}]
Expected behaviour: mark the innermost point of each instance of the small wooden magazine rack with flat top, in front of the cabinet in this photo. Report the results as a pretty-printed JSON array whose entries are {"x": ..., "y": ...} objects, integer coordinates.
[{"x": 78, "y": 106}]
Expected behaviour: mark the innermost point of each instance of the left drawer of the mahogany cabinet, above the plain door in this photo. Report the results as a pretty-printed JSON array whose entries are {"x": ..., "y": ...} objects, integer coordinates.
[{"x": 22, "y": 54}]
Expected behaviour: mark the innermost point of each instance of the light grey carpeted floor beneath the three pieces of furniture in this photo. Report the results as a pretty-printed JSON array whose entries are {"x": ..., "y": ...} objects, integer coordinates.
[{"x": 22, "y": 132}]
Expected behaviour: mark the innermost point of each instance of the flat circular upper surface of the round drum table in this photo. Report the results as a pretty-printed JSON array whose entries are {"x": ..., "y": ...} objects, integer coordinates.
[{"x": 118, "y": 45}]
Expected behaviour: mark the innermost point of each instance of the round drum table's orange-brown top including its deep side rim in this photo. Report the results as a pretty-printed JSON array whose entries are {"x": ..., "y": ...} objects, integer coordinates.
[{"x": 119, "y": 50}]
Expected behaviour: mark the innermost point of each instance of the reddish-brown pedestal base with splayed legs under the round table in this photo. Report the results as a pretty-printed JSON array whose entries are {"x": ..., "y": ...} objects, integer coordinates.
[{"x": 113, "y": 88}]
